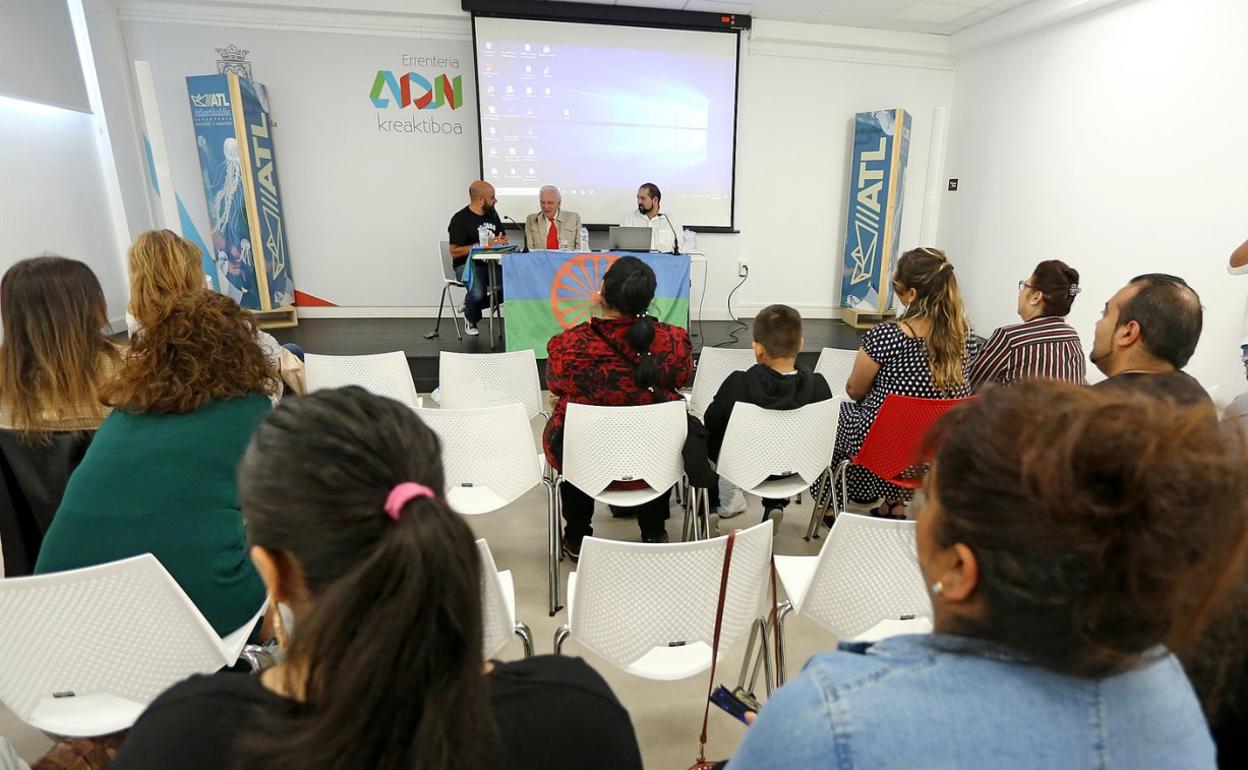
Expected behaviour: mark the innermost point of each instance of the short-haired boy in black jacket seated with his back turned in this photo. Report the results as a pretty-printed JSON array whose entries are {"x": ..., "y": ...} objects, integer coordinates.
[{"x": 774, "y": 383}]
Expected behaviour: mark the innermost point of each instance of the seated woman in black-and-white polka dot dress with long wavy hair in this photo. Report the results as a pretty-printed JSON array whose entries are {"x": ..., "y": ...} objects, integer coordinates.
[{"x": 928, "y": 354}]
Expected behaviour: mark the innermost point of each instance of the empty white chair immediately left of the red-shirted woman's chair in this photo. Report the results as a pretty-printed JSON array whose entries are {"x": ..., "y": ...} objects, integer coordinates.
[{"x": 490, "y": 461}]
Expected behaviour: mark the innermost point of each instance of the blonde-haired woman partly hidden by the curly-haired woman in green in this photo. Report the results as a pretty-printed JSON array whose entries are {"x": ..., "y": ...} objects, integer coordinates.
[{"x": 163, "y": 266}]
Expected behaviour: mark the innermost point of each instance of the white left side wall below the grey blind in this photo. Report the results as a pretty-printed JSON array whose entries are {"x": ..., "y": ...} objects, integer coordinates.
[{"x": 53, "y": 195}]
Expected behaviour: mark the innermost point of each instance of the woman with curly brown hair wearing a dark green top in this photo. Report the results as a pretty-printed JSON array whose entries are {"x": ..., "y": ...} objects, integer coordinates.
[{"x": 160, "y": 475}]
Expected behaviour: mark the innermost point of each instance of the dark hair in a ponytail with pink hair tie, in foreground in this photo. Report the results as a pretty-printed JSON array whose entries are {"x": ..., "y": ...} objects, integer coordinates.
[{"x": 389, "y": 650}]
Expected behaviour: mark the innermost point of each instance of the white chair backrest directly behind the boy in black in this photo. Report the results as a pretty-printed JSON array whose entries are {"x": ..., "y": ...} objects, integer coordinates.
[{"x": 764, "y": 442}]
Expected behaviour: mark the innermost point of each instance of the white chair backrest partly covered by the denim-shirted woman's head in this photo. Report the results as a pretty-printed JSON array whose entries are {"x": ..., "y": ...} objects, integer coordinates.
[{"x": 868, "y": 572}]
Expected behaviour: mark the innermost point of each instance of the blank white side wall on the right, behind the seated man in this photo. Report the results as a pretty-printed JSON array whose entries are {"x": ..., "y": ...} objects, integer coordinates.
[{"x": 1114, "y": 143}]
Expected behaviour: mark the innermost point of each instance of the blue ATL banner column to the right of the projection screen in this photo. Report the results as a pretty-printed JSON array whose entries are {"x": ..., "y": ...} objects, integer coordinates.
[{"x": 878, "y": 180}]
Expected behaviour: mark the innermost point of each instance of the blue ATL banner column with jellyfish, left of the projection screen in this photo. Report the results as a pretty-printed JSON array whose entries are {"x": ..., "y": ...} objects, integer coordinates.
[{"x": 233, "y": 133}]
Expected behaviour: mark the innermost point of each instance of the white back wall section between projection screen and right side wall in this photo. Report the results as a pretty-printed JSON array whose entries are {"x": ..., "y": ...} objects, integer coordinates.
[{"x": 799, "y": 92}]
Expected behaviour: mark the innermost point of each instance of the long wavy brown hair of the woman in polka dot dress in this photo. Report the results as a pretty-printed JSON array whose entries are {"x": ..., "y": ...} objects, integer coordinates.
[{"x": 932, "y": 275}]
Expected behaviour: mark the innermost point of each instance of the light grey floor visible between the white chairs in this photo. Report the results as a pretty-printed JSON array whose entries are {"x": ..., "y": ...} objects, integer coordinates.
[{"x": 666, "y": 714}]
